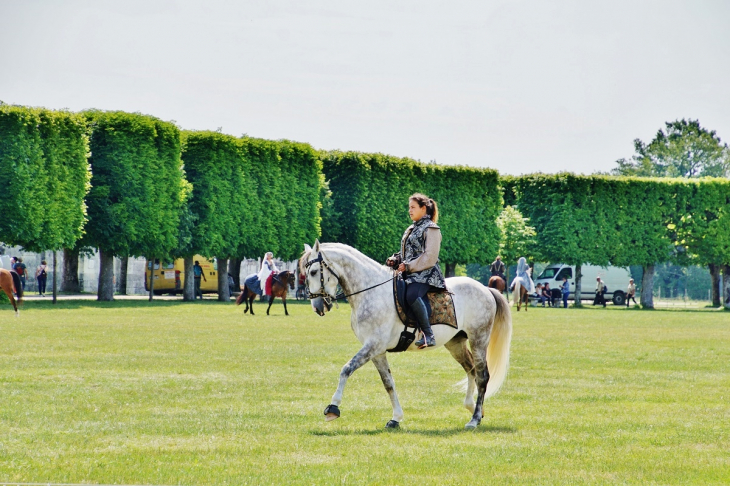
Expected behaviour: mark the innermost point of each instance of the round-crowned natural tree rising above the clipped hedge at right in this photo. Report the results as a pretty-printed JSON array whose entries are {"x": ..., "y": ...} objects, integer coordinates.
[{"x": 684, "y": 150}]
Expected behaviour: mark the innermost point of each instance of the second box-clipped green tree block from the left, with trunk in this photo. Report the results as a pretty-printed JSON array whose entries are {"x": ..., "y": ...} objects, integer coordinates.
[{"x": 137, "y": 191}]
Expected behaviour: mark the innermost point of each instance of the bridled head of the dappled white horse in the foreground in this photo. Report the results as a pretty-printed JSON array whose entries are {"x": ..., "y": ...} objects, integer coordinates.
[{"x": 321, "y": 281}]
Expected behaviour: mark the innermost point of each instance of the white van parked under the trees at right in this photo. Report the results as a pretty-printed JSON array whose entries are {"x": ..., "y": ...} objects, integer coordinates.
[{"x": 616, "y": 280}]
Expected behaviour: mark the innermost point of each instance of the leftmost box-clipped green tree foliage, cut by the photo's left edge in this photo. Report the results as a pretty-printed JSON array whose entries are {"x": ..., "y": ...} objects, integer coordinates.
[{"x": 44, "y": 175}]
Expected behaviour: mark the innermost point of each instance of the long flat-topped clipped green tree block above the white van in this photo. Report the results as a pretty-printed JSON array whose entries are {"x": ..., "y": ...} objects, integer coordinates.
[{"x": 627, "y": 221}]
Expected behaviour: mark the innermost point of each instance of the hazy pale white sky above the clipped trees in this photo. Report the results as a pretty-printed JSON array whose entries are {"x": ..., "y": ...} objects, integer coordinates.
[{"x": 520, "y": 86}]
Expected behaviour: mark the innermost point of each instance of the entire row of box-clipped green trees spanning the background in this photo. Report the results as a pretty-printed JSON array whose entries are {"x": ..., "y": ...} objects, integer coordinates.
[{"x": 133, "y": 185}]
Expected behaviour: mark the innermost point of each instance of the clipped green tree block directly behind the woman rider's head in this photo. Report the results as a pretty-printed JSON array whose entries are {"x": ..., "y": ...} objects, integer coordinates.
[{"x": 370, "y": 205}]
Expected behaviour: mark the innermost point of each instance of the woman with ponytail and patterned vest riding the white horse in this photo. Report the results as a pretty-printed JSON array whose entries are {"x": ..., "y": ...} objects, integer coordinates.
[{"x": 418, "y": 261}]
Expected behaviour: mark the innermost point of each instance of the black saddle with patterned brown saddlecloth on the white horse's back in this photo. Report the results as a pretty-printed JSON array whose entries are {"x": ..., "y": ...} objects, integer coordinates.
[{"x": 441, "y": 307}]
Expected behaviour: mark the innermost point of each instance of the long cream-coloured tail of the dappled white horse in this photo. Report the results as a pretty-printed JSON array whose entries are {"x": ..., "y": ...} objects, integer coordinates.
[{"x": 499, "y": 344}]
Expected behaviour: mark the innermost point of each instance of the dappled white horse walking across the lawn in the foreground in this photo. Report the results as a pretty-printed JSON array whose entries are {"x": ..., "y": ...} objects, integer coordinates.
[{"x": 483, "y": 317}]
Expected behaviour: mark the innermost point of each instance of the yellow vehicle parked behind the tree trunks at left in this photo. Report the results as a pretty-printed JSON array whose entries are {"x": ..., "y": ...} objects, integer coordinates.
[{"x": 170, "y": 276}]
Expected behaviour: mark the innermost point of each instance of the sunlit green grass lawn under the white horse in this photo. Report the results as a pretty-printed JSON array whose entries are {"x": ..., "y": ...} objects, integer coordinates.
[{"x": 172, "y": 393}]
